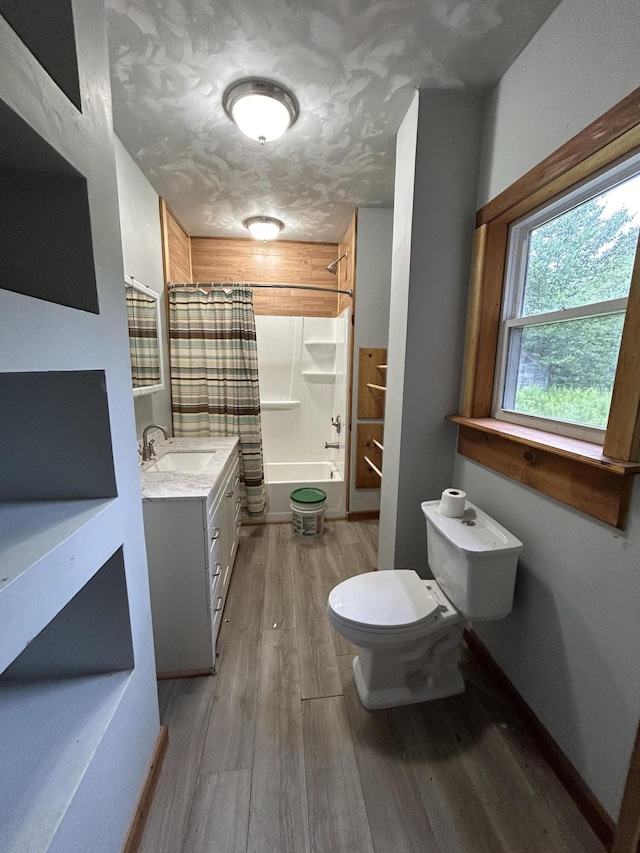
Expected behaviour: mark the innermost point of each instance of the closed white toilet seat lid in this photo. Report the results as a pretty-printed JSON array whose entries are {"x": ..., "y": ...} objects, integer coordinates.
[{"x": 381, "y": 602}]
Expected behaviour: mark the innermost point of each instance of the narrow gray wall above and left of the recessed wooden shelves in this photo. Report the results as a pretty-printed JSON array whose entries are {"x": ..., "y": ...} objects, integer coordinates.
[{"x": 371, "y": 328}]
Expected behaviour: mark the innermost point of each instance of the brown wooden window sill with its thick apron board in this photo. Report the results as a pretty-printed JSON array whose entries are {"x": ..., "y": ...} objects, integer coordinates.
[{"x": 573, "y": 472}]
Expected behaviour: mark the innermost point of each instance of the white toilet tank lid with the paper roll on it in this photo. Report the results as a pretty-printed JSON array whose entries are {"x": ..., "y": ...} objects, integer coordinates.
[{"x": 475, "y": 533}]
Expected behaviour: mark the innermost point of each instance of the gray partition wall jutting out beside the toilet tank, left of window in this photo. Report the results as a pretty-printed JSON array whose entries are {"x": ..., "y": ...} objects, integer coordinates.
[{"x": 434, "y": 207}]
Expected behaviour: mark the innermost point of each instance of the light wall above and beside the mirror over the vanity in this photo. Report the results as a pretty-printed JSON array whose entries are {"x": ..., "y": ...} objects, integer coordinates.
[{"x": 142, "y": 255}]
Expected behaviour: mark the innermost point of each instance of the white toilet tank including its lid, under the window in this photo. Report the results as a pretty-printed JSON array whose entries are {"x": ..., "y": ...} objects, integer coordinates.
[{"x": 473, "y": 559}]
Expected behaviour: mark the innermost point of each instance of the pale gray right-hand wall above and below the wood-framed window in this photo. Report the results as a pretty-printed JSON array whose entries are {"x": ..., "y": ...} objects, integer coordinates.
[{"x": 571, "y": 644}]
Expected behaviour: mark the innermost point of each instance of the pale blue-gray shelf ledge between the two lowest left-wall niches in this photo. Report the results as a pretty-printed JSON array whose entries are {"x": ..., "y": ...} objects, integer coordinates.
[{"x": 48, "y": 551}]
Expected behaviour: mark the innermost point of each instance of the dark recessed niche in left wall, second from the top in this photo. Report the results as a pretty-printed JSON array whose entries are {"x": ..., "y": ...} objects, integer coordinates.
[{"x": 45, "y": 243}]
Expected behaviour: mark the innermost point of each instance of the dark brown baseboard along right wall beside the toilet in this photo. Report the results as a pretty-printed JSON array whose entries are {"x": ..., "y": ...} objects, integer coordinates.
[{"x": 597, "y": 818}]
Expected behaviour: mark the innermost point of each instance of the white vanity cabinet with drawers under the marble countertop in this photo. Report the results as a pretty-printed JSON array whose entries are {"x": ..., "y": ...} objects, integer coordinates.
[{"x": 191, "y": 547}]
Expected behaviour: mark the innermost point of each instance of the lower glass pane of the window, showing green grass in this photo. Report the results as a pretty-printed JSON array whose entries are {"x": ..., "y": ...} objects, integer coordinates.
[{"x": 564, "y": 371}]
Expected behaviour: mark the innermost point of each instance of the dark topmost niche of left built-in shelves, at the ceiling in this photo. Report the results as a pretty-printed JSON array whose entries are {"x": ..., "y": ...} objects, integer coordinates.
[{"x": 47, "y": 30}]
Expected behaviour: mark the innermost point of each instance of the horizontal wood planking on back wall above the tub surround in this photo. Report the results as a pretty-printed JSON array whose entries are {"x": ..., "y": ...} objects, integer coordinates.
[{"x": 277, "y": 262}]
